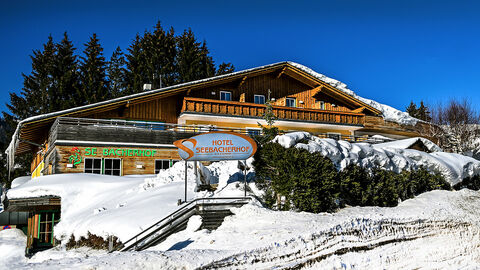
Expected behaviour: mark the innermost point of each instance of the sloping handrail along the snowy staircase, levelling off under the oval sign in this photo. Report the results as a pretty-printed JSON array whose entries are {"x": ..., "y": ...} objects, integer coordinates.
[{"x": 171, "y": 218}]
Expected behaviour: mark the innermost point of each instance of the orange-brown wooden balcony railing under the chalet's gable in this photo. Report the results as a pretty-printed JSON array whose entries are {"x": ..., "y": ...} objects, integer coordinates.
[{"x": 235, "y": 108}]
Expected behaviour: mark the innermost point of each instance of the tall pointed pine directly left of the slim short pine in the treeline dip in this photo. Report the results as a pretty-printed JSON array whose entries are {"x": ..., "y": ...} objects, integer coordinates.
[{"x": 94, "y": 85}]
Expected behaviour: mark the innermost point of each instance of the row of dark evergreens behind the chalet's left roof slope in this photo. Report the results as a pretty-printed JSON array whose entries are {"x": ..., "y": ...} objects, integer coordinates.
[{"x": 63, "y": 76}]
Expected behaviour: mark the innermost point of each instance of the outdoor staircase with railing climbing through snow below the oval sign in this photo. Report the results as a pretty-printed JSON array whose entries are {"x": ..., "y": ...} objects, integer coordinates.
[{"x": 212, "y": 210}]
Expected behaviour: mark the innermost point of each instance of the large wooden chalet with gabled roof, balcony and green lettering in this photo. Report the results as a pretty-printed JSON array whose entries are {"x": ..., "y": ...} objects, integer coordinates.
[{"x": 134, "y": 134}]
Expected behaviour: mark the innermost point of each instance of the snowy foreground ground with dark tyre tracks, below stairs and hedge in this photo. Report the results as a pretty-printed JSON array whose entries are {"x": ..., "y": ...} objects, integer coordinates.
[{"x": 438, "y": 229}]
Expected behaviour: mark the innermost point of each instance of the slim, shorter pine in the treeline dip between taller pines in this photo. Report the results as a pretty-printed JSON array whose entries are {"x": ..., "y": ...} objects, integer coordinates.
[{"x": 117, "y": 73}]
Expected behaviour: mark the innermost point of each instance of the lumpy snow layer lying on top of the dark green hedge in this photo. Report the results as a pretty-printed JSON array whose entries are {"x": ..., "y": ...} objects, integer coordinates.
[{"x": 392, "y": 156}]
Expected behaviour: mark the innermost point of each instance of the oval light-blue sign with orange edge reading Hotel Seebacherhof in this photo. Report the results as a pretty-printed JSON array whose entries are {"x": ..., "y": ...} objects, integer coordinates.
[{"x": 215, "y": 146}]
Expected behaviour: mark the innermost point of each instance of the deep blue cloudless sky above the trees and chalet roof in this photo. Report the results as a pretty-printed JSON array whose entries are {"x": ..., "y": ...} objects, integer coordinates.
[{"x": 389, "y": 51}]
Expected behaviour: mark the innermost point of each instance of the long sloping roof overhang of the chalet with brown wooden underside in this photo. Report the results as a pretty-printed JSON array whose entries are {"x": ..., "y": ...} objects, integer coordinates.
[{"x": 28, "y": 130}]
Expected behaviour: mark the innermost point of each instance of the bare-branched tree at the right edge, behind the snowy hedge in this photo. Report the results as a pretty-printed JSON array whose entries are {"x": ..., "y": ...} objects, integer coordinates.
[{"x": 456, "y": 126}]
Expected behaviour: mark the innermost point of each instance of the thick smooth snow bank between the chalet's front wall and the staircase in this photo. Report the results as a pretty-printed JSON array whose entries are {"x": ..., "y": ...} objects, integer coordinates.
[{"x": 123, "y": 205}]
